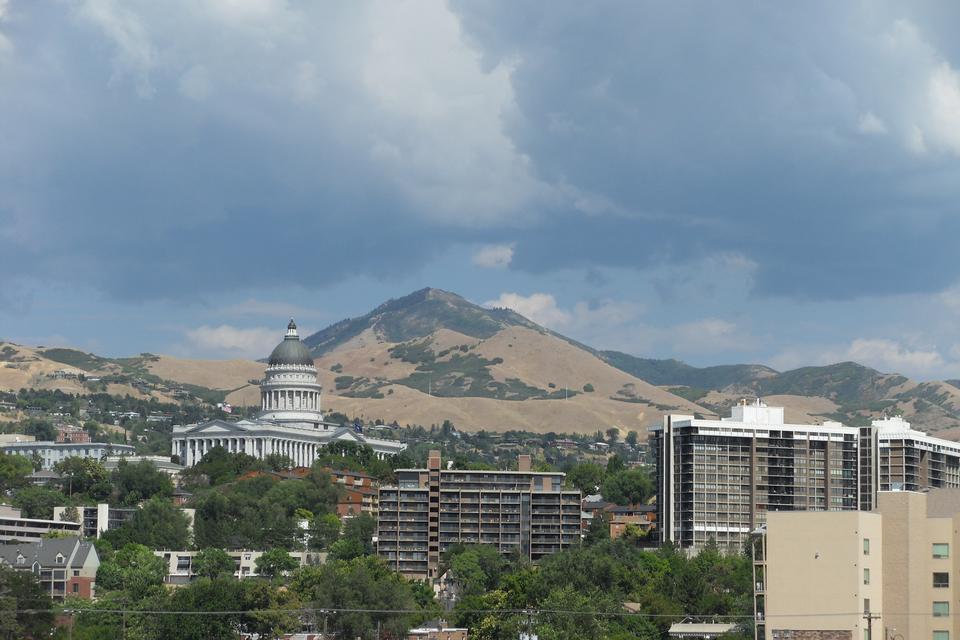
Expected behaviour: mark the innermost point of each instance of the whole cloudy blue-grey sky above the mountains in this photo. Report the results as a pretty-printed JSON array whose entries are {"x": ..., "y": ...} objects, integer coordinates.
[{"x": 714, "y": 182}]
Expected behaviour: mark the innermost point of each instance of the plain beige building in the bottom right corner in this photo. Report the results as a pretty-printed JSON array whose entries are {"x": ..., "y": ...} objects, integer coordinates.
[{"x": 839, "y": 575}]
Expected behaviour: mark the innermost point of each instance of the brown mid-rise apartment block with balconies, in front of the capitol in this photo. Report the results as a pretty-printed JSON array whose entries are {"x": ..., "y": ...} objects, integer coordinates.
[{"x": 523, "y": 512}]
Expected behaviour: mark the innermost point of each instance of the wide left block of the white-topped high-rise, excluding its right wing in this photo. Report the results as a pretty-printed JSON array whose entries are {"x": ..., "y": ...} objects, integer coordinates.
[{"x": 717, "y": 479}]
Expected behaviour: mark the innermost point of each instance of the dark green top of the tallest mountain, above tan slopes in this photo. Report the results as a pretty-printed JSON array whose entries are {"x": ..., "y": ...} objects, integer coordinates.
[{"x": 419, "y": 314}]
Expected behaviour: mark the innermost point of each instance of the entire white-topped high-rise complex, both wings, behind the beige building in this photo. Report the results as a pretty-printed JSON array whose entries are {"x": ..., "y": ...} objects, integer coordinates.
[{"x": 718, "y": 479}]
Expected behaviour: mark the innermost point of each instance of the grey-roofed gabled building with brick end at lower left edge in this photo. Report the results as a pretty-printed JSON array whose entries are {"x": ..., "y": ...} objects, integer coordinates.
[{"x": 63, "y": 566}]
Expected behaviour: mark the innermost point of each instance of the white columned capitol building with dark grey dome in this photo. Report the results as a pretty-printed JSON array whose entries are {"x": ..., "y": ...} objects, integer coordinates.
[{"x": 289, "y": 422}]
